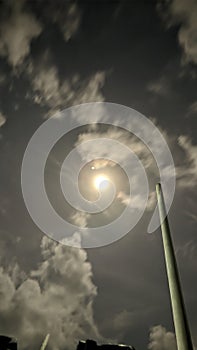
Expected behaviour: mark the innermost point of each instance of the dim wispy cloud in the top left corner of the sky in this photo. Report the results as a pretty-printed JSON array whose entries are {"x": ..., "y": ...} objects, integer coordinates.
[{"x": 20, "y": 26}]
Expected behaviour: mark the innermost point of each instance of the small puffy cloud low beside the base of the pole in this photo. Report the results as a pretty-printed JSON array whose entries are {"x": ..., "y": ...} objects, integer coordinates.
[{"x": 161, "y": 339}]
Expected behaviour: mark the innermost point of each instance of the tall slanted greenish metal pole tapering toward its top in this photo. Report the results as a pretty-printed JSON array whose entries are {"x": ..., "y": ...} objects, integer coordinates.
[{"x": 182, "y": 332}]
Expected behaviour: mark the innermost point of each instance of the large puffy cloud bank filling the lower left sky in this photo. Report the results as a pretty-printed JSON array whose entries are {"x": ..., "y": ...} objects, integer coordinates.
[{"x": 56, "y": 298}]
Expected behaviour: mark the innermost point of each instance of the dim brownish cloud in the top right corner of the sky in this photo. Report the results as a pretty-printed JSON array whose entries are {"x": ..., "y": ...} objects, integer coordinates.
[{"x": 184, "y": 14}]
